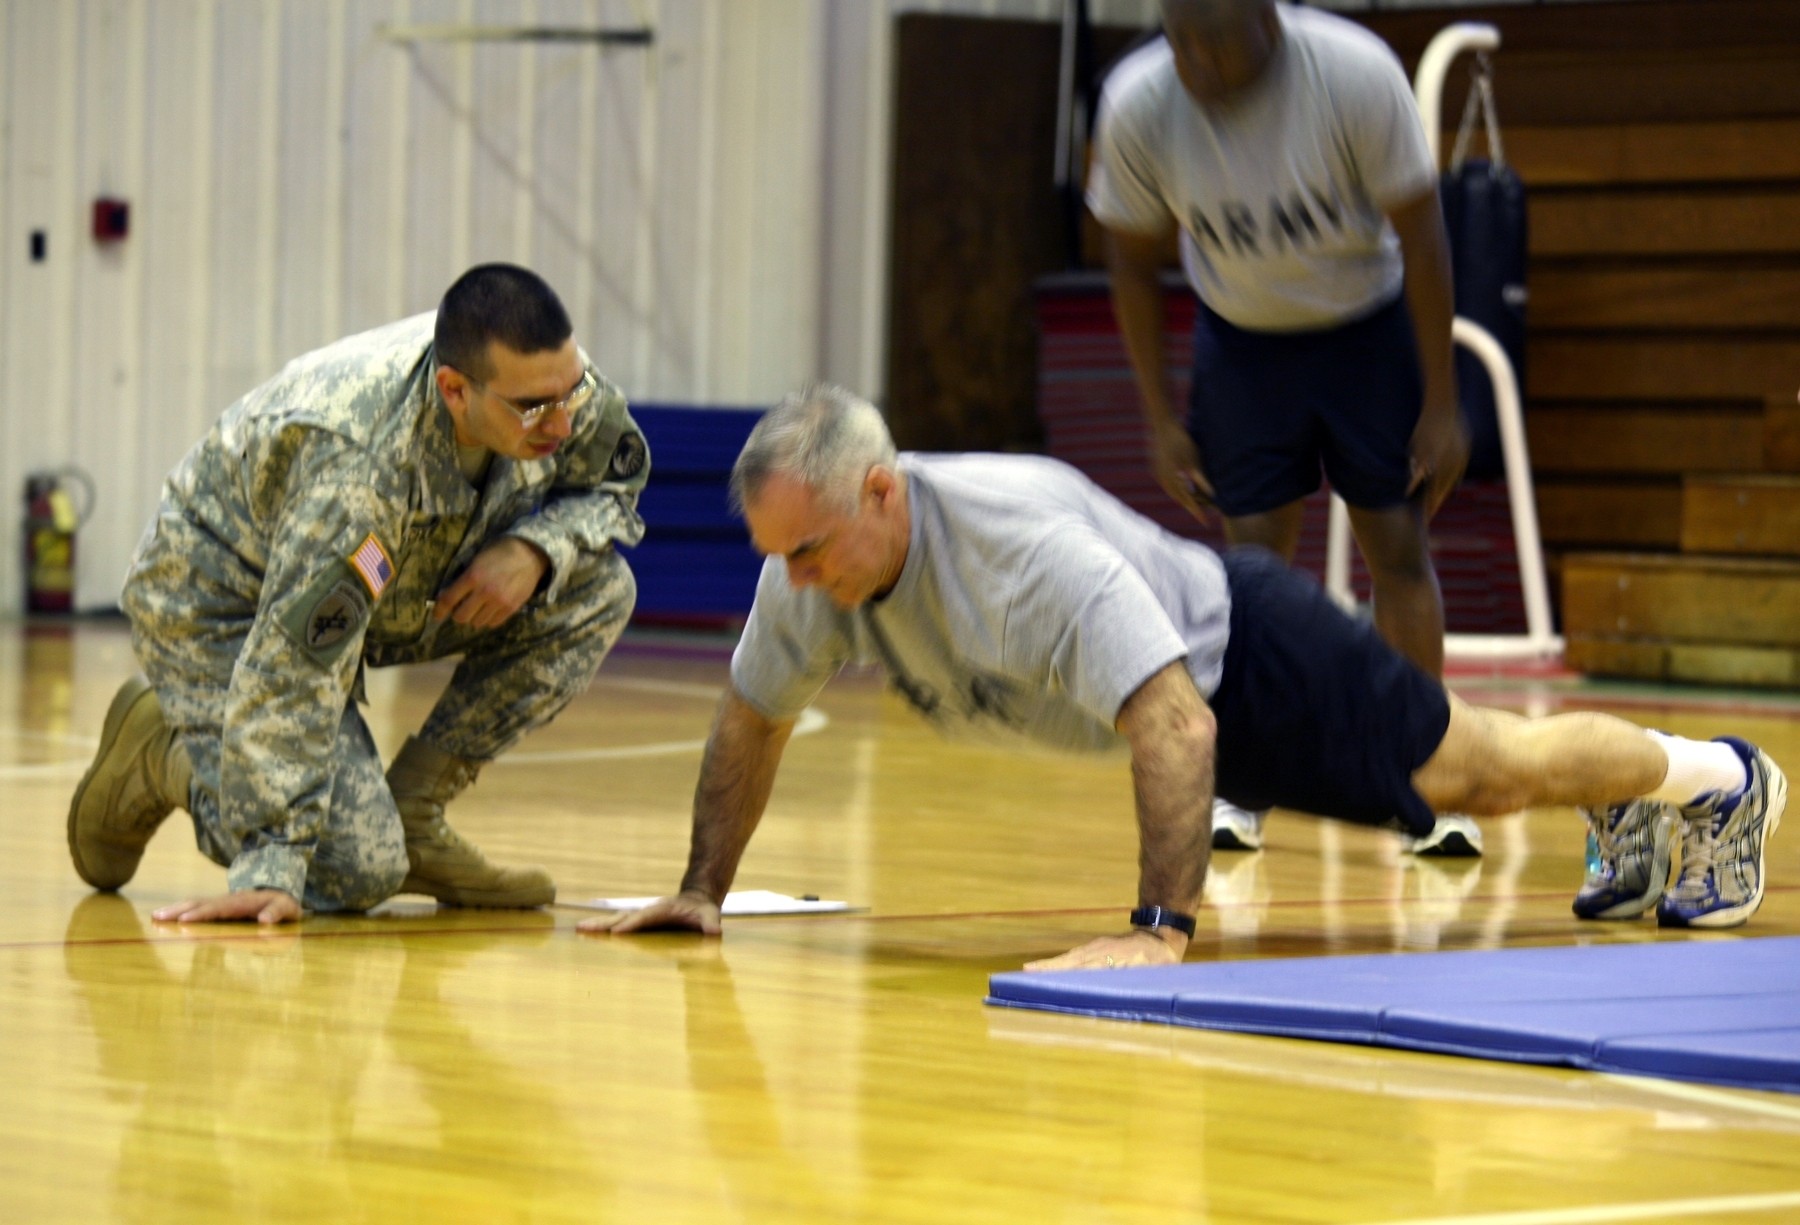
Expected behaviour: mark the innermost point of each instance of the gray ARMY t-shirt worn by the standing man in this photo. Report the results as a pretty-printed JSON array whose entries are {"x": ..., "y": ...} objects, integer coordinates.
[{"x": 1281, "y": 193}]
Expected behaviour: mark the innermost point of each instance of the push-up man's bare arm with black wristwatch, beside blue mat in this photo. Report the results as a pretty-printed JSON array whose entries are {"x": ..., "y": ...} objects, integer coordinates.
[{"x": 1173, "y": 737}]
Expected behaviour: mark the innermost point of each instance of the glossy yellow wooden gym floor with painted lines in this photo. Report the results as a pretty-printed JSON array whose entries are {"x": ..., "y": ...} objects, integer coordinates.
[{"x": 422, "y": 1066}]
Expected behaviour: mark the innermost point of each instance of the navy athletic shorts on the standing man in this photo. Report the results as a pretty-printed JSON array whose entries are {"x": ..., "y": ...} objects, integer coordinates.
[{"x": 1270, "y": 409}]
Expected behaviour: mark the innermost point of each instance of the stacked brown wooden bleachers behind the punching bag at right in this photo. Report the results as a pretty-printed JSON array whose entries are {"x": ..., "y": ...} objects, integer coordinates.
[{"x": 1660, "y": 143}]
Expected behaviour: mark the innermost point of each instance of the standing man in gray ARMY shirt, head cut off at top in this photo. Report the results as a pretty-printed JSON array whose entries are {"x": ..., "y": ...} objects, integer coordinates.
[{"x": 1286, "y": 147}]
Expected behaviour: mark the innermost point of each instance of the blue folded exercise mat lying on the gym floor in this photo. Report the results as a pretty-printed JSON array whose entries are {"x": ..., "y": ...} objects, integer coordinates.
[{"x": 1704, "y": 1010}]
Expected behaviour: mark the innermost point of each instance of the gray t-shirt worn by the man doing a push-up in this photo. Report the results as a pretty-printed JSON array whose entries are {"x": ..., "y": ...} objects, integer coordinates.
[{"x": 1032, "y": 605}]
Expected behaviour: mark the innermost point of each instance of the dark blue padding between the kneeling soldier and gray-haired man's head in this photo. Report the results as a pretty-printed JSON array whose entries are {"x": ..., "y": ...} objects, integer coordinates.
[{"x": 696, "y": 562}]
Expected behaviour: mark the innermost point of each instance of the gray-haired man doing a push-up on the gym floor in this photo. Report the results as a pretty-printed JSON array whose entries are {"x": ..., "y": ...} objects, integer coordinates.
[{"x": 1009, "y": 598}]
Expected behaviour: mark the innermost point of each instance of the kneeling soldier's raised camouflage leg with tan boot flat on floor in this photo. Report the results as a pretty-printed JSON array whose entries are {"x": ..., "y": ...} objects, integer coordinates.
[{"x": 512, "y": 681}]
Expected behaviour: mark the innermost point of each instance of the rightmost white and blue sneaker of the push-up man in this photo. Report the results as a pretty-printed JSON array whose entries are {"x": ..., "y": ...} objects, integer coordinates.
[{"x": 1722, "y": 848}]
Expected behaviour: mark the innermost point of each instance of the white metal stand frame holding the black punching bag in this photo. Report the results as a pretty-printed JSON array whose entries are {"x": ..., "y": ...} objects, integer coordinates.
[{"x": 1538, "y": 641}]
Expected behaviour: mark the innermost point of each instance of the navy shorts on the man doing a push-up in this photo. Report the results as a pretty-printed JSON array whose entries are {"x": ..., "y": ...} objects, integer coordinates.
[{"x": 1315, "y": 710}]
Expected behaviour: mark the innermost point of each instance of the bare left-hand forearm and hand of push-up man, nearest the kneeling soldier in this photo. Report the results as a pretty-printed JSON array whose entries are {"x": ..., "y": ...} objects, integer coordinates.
[{"x": 737, "y": 776}]
